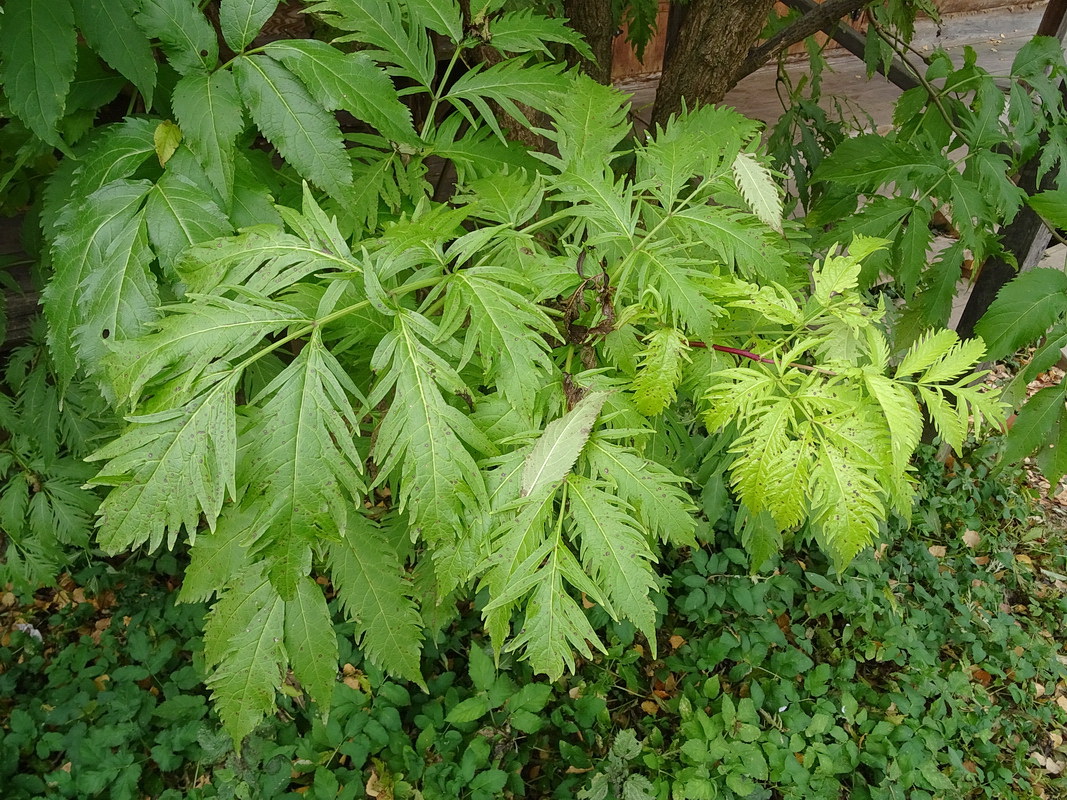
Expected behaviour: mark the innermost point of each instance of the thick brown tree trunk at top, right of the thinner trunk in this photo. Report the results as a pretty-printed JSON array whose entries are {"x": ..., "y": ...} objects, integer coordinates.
[{"x": 713, "y": 42}]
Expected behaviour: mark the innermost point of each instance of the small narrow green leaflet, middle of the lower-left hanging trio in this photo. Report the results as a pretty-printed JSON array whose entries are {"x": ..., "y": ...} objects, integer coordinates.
[{"x": 311, "y": 644}]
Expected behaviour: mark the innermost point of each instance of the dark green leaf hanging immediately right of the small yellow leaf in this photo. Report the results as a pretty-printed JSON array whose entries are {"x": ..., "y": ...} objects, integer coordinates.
[{"x": 209, "y": 109}]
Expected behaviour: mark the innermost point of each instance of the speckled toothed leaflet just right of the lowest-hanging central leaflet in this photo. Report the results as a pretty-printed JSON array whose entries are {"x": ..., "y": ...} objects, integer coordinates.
[{"x": 616, "y": 554}]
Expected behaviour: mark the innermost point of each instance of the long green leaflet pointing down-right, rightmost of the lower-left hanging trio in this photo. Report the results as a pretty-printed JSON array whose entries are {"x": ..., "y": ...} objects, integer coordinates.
[{"x": 375, "y": 594}]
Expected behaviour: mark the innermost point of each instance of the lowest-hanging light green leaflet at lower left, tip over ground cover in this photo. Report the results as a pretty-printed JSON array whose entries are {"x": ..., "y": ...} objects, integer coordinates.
[{"x": 244, "y": 643}]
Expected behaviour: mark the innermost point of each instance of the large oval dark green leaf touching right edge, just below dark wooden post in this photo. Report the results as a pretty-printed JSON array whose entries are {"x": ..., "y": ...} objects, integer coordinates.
[{"x": 1024, "y": 311}]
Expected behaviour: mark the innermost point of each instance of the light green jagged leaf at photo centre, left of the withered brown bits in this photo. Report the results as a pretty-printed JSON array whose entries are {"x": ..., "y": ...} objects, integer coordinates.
[{"x": 511, "y": 334}]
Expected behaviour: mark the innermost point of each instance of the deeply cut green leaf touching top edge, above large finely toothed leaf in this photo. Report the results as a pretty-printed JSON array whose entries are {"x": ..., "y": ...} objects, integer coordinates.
[{"x": 381, "y": 25}]
